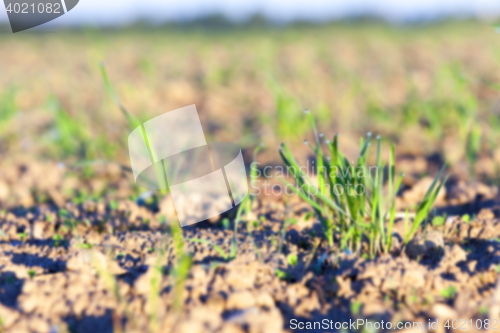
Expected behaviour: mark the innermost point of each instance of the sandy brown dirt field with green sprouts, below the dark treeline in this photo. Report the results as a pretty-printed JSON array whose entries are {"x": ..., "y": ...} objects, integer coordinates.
[{"x": 86, "y": 250}]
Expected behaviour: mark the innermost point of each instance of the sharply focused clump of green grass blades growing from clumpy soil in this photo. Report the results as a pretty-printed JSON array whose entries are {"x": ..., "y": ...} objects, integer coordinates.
[{"x": 349, "y": 199}]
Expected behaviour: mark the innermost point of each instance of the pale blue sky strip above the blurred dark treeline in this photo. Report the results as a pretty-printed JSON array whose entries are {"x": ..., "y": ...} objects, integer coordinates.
[{"x": 112, "y": 12}]
